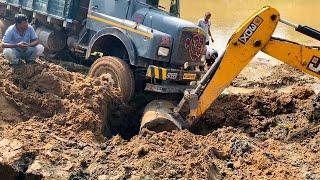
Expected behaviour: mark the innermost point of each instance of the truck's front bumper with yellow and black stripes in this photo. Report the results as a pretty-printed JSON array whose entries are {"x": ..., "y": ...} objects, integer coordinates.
[{"x": 160, "y": 73}]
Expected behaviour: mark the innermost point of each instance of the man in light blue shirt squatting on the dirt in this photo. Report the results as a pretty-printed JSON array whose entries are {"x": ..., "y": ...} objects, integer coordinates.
[{"x": 21, "y": 42}]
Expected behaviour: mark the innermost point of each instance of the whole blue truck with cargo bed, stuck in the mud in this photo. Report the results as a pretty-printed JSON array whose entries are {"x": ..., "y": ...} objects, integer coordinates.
[{"x": 131, "y": 43}]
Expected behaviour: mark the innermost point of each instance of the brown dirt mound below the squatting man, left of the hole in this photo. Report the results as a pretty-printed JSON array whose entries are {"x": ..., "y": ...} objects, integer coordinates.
[{"x": 47, "y": 95}]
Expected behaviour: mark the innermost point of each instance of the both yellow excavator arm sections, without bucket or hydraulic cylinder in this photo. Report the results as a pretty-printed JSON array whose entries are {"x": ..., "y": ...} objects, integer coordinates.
[{"x": 253, "y": 36}]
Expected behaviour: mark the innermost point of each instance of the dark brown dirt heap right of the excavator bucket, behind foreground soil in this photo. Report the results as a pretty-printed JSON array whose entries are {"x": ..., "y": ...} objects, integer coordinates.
[{"x": 259, "y": 112}]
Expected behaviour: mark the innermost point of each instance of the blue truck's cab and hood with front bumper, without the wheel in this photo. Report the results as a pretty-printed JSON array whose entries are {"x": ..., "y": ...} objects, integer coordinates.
[{"x": 165, "y": 48}]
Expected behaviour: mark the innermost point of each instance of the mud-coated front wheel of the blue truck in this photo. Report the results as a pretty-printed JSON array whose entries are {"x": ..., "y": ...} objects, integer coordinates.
[{"x": 117, "y": 72}]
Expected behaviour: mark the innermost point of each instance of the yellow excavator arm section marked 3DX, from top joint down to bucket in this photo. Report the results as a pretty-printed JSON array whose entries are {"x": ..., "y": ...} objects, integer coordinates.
[{"x": 244, "y": 44}]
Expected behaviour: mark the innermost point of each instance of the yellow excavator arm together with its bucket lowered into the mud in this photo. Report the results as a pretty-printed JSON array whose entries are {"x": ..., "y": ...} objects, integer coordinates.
[{"x": 254, "y": 35}]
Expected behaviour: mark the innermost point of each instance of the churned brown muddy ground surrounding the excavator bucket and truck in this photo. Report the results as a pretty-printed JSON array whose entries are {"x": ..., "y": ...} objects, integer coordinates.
[{"x": 266, "y": 126}]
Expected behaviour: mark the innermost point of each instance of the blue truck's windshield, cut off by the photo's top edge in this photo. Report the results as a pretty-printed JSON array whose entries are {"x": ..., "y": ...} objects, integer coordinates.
[{"x": 170, "y": 6}]
